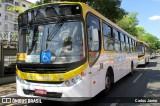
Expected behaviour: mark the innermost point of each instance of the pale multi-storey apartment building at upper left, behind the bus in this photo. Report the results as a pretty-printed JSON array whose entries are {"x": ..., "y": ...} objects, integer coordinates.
[{"x": 9, "y": 10}]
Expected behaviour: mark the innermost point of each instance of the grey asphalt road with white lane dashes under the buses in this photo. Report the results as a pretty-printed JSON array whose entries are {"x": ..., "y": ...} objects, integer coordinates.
[{"x": 129, "y": 91}]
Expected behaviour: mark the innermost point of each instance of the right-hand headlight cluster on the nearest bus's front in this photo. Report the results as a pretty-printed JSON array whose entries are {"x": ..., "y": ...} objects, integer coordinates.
[{"x": 73, "y": 80}]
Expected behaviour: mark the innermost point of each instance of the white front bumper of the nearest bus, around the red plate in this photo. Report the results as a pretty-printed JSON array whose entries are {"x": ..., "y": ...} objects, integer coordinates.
[{"x": 78, "y": 92}]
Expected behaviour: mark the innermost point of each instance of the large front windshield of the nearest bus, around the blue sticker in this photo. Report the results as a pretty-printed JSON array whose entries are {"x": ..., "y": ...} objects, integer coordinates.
[{"x": 64, "y": 40}]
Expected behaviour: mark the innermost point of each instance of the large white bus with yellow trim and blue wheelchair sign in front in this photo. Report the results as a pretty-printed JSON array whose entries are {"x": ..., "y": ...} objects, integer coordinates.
[{"x": 68, "y": 50}]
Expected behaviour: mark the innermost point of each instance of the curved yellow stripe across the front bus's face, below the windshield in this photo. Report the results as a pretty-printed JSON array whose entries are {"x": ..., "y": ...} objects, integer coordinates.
[{"x": 52, "y": 77}]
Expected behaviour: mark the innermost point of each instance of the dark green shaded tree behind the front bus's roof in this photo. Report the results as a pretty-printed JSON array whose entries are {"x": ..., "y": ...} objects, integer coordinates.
[{"x": 109, "y": 8}]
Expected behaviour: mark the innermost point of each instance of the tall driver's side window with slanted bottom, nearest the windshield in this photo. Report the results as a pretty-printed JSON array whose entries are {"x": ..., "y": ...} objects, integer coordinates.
[{"x": 93, "y": 30}]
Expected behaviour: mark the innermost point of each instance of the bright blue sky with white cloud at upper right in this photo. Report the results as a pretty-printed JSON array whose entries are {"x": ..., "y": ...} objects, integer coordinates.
[{"x": 148, "y": 13}]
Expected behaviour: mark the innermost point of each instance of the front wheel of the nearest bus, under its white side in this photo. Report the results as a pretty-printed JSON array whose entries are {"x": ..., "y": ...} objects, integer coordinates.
[{"x": 108, "y": 83}]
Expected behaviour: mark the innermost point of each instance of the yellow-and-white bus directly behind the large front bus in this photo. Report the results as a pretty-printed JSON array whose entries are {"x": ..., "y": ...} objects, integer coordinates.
[{"x": 143, "y": 53}]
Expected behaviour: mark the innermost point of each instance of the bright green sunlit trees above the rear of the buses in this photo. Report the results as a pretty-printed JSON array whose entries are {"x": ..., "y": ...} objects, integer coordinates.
[{"x": 130, "y": 24}]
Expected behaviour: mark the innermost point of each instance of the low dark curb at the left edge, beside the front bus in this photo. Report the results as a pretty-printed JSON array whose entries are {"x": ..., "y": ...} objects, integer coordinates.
[{"x": 7, "y": 80}]
